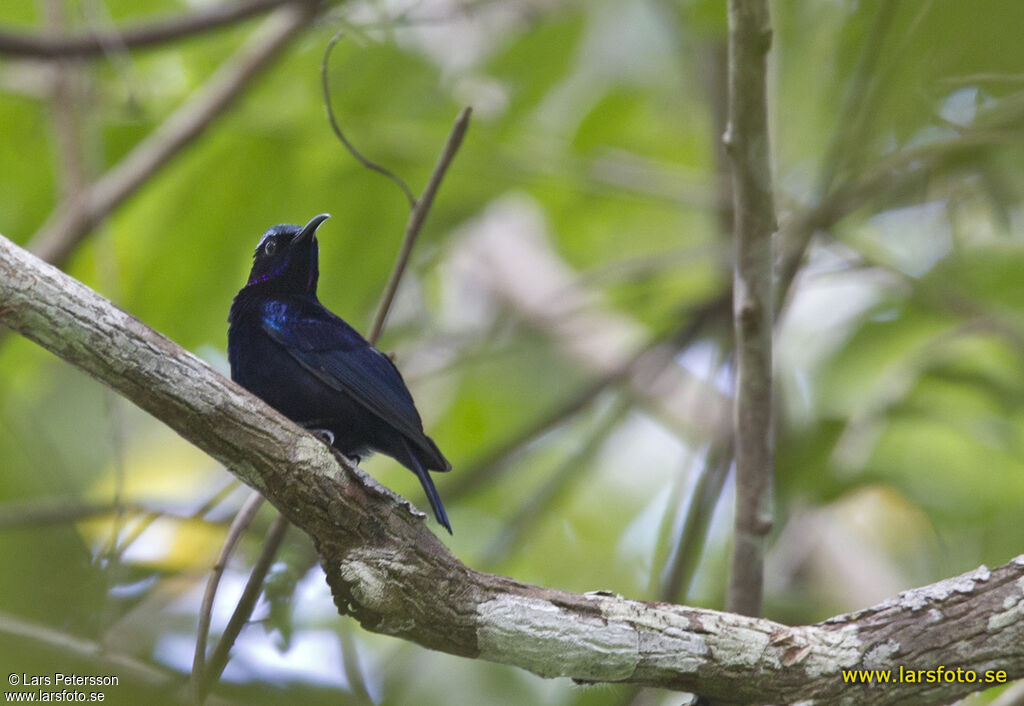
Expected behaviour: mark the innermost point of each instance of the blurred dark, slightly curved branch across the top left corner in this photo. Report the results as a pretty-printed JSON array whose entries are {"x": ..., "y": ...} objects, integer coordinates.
[{"x": 149, "y": 34}]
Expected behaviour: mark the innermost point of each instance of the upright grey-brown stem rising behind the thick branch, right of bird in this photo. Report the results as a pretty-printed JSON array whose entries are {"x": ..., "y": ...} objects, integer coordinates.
[{"x": 747, "y": 142}]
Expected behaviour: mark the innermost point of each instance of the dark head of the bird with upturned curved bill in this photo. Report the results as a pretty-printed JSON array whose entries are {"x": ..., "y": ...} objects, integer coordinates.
[{"x": 287, "y": 259}]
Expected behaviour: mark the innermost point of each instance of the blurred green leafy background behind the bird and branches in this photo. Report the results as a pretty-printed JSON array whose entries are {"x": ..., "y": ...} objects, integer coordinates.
[{"x": 565, "y": 325}]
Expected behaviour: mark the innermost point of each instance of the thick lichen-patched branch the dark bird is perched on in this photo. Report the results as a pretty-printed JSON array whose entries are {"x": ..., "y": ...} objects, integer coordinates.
[{"x": 389, "y": 571}]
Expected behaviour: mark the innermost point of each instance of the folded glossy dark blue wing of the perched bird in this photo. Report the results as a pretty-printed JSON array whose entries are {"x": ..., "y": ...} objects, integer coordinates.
[{"x": 344, "y": 360}]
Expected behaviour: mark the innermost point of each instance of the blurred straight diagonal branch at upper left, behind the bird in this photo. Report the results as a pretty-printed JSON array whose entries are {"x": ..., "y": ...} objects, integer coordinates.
[{"x": 72, "y": 221}]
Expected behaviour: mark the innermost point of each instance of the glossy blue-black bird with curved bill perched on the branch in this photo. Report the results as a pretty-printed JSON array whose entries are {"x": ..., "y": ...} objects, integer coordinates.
[{"x": 289, "y": 350}]
